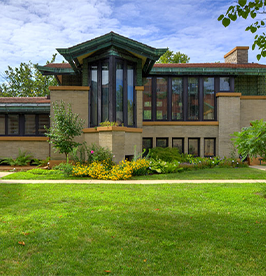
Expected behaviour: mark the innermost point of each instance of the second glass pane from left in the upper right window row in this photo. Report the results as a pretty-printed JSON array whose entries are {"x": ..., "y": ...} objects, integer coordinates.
[{"x": 161, "y": 99}]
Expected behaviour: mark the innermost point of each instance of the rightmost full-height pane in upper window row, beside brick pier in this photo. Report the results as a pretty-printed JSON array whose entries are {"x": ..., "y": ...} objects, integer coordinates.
[{"x": 208, "y": 99}]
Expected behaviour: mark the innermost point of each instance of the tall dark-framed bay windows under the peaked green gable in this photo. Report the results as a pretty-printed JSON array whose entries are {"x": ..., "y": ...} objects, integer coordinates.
[{"x": 112, "y": 93}]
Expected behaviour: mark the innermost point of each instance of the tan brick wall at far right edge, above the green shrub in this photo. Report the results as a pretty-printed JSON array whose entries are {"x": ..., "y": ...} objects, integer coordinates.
[{"x": 253, "y": 109}]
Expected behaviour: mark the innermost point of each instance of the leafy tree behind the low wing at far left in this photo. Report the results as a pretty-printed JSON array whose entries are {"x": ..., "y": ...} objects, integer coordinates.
[{"x": 26, "y": 81}]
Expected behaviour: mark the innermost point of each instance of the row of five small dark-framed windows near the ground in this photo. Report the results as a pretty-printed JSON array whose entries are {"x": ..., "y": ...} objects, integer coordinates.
[{"x": 193, "y": 145}]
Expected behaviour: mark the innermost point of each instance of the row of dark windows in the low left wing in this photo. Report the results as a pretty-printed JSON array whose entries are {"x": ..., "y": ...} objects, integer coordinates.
[{"x": 23, "y": 124}]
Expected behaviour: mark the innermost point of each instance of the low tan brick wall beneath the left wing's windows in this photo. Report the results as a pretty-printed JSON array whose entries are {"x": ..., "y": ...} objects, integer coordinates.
[{"x": 38, "y": 149}]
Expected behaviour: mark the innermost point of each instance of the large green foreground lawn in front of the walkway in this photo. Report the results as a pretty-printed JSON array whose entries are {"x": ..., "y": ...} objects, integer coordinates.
[{"x": 179, "y": 229}]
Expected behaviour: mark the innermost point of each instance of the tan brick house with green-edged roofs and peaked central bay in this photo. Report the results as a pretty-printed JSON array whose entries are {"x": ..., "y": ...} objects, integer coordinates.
[{"x": 194, "y": 106}]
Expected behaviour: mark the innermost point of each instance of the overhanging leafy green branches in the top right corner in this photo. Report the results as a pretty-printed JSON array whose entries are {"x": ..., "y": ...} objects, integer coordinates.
[{"x": 243, "y": 9}]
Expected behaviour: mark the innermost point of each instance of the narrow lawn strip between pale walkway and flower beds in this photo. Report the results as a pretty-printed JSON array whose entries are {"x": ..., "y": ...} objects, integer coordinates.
[{"x": 215, "y": 173}]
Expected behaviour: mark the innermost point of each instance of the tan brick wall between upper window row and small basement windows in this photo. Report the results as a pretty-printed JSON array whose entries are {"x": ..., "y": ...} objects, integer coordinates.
[{"x": 182, "y": 132}]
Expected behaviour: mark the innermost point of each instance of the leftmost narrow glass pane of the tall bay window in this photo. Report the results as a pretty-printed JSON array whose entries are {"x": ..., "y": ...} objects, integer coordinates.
[{"x": 94, "y": 98}]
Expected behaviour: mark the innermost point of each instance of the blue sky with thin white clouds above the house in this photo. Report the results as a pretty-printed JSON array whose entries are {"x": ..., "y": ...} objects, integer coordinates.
[{"x": 31, "y": 30}]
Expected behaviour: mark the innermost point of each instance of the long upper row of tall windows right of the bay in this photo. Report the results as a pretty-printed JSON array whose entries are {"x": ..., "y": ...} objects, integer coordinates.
[{"x": 182, "y": 98}]
